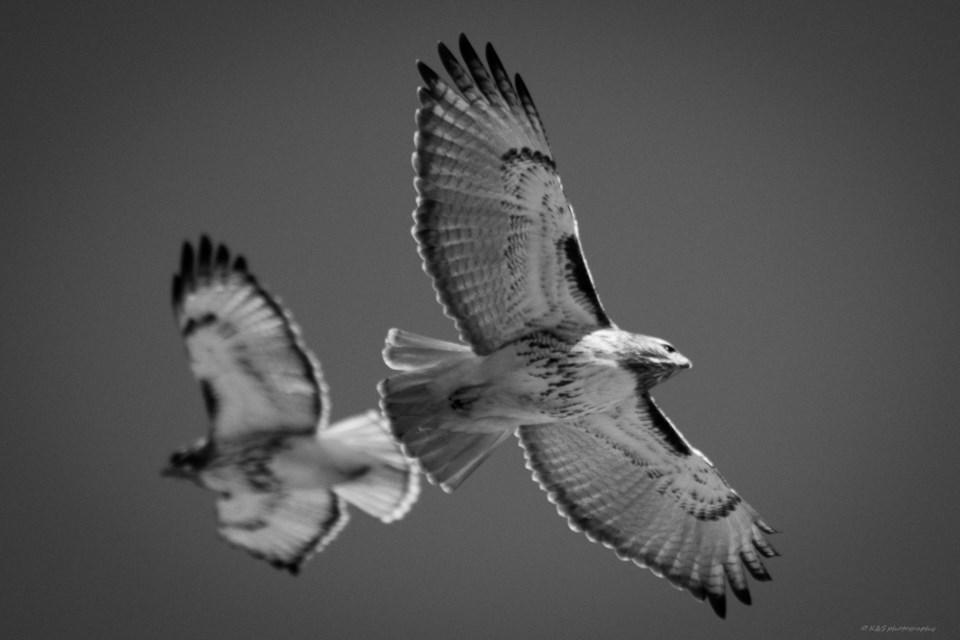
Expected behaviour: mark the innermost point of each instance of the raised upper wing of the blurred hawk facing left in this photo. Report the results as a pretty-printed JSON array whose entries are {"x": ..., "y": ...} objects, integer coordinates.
[{"x": 255, "y": 372}]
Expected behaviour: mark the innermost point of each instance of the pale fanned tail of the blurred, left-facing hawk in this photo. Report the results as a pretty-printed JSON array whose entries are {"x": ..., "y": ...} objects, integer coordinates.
[{"x": 390, "y": 486}]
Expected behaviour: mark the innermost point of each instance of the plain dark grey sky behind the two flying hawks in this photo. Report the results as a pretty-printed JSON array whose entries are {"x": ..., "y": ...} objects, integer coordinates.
[{"x": 773, "y": 188}]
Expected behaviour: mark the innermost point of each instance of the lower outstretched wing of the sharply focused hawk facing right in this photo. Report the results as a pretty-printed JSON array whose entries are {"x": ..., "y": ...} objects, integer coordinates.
[{"x": 628, "y": 479}]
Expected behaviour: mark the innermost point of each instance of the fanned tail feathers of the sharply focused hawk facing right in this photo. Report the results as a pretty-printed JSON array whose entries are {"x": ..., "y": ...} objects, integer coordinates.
[{"x": 448, "y": 447}]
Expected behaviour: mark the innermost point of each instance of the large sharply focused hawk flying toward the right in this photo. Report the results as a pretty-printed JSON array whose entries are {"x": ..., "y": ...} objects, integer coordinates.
[{"x": 544, "y": 360}]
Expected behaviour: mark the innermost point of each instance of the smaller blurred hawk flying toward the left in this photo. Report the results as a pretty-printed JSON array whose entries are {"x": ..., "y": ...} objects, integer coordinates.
[{"x": 282, "y": 475}]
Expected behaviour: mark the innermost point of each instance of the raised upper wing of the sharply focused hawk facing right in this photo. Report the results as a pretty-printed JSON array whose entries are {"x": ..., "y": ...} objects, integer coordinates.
[{"x": 494, "y": 229}]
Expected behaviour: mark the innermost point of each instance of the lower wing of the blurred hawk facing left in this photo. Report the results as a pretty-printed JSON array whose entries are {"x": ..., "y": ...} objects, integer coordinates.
[{"x": 283, "y": 528}]
